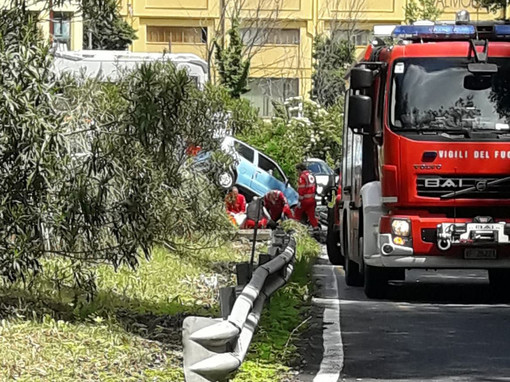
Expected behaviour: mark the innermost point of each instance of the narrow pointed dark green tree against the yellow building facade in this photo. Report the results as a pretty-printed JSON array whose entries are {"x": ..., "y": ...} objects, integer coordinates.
[{"x": 232, "y": 68}]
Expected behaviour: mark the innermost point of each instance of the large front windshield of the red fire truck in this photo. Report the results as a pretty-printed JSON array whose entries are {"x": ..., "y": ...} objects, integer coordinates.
[{"x": 441, "y": 94}]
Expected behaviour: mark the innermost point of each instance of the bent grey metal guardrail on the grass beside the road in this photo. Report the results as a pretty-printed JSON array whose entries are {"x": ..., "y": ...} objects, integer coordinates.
[{"x": 214, "y": 348}]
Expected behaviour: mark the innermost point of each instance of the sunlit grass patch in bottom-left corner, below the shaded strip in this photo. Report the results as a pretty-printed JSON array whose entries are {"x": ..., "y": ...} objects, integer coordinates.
[{"x": 51, "y": 350}]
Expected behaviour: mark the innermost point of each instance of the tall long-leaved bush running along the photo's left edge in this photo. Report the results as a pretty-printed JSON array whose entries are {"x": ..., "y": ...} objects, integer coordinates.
[{"x": 31, "y": 142}]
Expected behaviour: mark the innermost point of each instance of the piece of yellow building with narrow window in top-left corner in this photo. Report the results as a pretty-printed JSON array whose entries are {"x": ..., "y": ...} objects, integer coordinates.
[{"x": 62, "y": 25}]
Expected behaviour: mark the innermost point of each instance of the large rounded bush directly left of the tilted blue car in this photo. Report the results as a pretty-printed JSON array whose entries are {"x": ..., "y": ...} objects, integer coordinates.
[{"x": 138, "y": 153}]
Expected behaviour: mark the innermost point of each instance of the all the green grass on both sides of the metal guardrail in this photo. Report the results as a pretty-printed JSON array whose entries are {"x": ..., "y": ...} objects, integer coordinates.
[{"x": 131, "y": 331}]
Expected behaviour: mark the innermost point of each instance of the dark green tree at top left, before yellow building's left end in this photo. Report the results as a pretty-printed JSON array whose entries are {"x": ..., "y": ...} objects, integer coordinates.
[{"x": 103, "y": 26}]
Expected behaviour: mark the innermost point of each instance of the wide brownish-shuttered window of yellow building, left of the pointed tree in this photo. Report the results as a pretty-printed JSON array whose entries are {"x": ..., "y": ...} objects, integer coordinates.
[{"x": 177, "y": 35}]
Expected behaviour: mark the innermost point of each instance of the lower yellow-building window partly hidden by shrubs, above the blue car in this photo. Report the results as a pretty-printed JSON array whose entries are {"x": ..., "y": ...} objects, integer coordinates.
[{"x": 263, "y": 91}]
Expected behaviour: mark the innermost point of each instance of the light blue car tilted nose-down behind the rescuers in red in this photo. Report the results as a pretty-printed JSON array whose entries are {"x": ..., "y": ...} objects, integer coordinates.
[{"x": 254, "y": 172}]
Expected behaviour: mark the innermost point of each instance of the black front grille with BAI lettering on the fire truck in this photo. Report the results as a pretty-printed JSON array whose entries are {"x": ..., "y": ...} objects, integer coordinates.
[{"x": 467, "y": 187}]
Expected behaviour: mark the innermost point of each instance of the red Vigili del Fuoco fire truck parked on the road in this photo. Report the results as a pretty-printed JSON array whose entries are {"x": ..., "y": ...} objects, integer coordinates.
[{"x": 426, "y": 163}]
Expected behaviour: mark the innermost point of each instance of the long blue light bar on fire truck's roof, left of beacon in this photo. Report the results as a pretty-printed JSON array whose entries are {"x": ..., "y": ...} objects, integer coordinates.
[{"x": 435, "y": 32}]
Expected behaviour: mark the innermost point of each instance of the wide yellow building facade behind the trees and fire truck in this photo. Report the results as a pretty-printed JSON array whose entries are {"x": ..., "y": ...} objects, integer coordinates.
[{"x": 278, "y": 33}]
